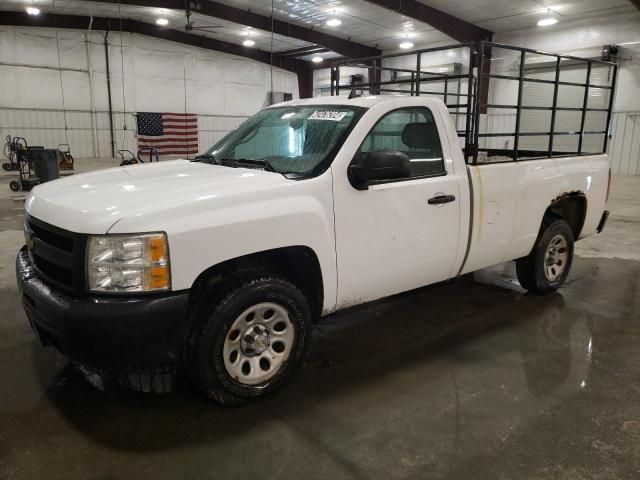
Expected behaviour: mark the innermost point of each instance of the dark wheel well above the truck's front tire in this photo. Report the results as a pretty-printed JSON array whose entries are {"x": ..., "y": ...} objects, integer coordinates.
[{"x": 297, "y": 264}]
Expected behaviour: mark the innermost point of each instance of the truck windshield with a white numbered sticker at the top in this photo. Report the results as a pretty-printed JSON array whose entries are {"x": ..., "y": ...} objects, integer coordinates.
[{"x": 287, "y": 140}]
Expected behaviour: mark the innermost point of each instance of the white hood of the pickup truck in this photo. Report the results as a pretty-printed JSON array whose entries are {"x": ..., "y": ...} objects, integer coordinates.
[{"x": 93, "y": 202}]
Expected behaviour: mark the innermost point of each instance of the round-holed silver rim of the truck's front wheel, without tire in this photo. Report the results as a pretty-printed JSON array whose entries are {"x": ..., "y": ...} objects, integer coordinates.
[{"x": 258, "y": 343}]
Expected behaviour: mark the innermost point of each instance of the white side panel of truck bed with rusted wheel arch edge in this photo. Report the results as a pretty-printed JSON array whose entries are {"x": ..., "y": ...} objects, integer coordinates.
[{"x": 510, "y": 199}]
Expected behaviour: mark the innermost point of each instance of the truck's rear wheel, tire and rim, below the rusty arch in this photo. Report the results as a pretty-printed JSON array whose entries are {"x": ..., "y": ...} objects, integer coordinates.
[{"x": 546, "y": 268}]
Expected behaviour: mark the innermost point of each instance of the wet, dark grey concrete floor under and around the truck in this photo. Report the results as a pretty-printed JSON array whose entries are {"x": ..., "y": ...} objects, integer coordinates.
[{"x": 467, "y": 380}]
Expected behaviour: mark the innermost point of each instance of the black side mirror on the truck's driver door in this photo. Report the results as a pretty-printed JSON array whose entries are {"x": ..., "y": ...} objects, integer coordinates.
[{"x": 379, "y": 165}]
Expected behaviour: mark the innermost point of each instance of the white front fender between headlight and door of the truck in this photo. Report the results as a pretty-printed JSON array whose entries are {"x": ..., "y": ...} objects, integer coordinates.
[{"x": 207, "y": 233}]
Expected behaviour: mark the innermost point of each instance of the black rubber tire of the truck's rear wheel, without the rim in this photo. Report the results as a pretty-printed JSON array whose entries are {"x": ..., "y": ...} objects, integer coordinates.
[{"x": 531, "y": 269}]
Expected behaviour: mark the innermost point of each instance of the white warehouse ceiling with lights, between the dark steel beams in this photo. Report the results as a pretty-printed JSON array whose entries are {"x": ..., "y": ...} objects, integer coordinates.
[{"x": 364, "y": 22}]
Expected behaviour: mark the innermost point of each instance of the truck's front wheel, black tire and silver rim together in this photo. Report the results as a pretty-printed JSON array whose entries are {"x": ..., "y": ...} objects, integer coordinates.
[{"x": 248, "y": 342}]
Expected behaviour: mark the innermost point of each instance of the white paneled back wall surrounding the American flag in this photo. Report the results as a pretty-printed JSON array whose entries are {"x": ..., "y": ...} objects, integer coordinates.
[{"x": 146, "y": 75}]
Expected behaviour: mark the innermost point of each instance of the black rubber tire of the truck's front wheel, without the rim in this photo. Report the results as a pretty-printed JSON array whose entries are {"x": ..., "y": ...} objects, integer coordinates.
[{"x": 211, "y": 320}]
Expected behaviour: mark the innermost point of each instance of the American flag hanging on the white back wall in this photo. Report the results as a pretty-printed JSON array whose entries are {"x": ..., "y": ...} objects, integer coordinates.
[{"x": 169, "y": 133}]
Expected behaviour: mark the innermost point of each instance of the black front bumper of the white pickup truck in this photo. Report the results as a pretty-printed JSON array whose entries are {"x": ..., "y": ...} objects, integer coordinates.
[{"x": 138, "y": 336}]
